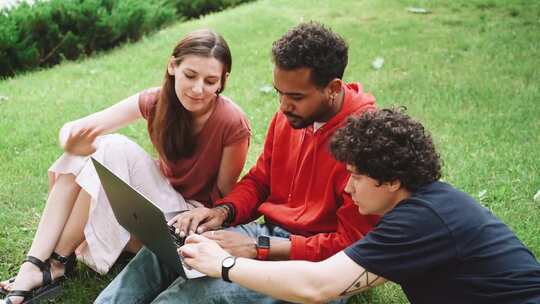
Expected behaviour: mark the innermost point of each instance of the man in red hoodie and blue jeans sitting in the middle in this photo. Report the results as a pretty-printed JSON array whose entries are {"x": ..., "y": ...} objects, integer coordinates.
[{"x": 296, "y": 185}]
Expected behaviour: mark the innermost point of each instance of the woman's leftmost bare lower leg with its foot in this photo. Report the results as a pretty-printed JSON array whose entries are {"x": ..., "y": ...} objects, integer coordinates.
[{"x": 51, "y": 226}]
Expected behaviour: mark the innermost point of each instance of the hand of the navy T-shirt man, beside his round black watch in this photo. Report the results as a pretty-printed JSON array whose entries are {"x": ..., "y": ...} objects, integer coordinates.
[{"x": 203, "y": 254}]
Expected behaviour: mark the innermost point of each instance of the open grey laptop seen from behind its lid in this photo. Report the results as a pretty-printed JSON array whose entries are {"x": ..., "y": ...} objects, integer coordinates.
[{"x": 143, "y": 219}]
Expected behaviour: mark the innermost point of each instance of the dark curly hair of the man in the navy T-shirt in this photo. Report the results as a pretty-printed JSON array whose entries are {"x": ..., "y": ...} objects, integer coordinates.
[{"x": 388, "y": 145}]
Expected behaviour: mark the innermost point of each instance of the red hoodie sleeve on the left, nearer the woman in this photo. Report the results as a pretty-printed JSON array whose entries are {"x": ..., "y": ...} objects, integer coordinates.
[{"x": 254, "y": 187}]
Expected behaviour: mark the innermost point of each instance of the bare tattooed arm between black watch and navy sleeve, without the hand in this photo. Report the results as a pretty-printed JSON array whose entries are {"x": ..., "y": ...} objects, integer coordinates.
[{"x": 302, "y": 281}]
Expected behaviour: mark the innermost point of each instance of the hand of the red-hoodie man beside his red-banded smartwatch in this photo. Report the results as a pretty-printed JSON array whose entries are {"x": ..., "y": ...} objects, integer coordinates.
[{"x": 236, "y": 244}]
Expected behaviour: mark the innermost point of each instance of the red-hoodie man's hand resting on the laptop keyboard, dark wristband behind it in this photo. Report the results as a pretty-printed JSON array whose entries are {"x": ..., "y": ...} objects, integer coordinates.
[{"x": 198, "y": 220}]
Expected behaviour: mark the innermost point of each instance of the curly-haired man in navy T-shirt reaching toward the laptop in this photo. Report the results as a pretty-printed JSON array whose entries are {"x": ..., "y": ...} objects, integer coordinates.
[{"x": 437, "y": 242}]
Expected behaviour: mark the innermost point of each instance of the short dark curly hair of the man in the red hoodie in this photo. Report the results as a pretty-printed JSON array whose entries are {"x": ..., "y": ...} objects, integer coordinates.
[{"x": 312, "y": 45}]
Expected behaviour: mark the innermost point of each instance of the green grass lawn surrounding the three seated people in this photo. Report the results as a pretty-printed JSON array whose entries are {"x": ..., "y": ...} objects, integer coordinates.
[{"x": 469, "y": 70}]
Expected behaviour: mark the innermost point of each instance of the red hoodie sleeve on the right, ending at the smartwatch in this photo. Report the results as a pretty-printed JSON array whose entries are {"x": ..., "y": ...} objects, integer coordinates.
[{"x": 352, "y": 226}]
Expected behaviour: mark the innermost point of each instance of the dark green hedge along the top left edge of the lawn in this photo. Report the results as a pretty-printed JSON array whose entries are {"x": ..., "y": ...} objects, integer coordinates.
[{"x": 46, "y": 33}]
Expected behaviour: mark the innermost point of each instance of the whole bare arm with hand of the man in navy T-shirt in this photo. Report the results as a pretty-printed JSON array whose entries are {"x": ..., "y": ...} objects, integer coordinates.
[{"x": 298, "y": 281}]
